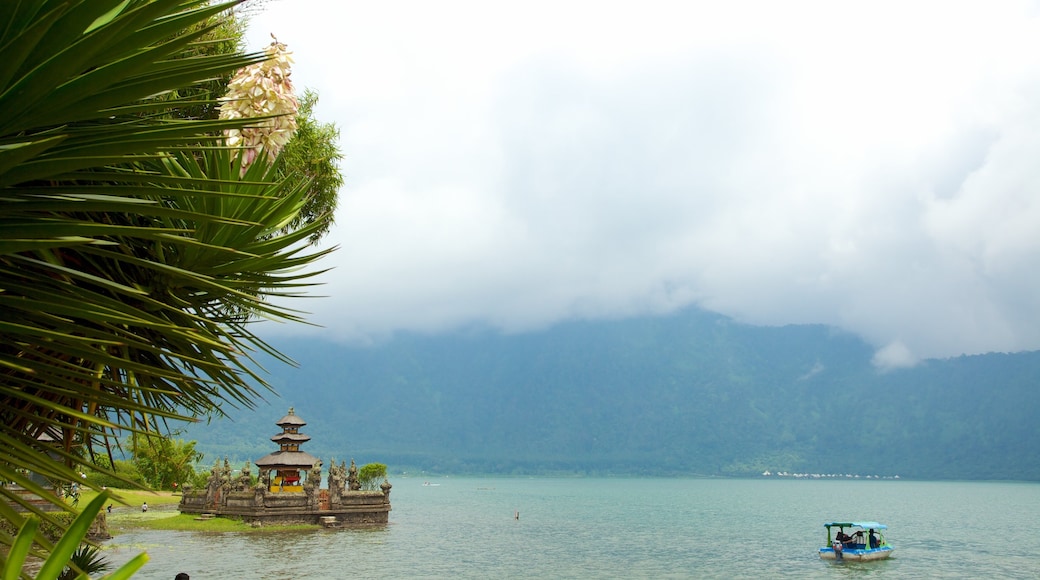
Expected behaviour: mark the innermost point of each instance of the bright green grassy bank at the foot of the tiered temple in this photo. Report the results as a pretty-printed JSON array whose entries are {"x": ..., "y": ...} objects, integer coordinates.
[{"x": 126, "y": 514}]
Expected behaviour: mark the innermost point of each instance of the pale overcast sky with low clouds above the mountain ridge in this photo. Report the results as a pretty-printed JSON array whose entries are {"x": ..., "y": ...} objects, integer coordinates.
[{"x": 871, "y": 166}]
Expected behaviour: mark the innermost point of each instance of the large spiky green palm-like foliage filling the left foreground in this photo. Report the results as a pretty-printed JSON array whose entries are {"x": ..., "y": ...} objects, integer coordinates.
[{"x": 134, "y": 251}]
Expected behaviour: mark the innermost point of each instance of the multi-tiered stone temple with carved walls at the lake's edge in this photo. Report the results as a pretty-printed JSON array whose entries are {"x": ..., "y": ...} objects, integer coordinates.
[{"x": 289, "y": 490}]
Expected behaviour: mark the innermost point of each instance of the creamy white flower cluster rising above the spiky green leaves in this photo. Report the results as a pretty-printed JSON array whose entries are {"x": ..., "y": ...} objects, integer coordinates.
[{"x": 263, "y": 90}]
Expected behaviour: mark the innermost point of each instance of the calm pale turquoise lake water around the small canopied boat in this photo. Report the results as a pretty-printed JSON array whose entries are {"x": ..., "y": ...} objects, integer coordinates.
[{"x": 632, "y": 529}]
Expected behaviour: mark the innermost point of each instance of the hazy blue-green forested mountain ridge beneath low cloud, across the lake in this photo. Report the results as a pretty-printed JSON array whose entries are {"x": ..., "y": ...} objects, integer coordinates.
[{"x": 692, "y": 394}]
